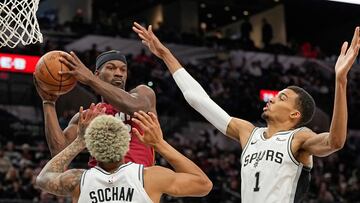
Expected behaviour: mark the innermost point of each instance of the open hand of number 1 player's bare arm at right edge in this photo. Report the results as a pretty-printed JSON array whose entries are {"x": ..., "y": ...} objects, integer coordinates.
[{"x": 347, "y": 55}]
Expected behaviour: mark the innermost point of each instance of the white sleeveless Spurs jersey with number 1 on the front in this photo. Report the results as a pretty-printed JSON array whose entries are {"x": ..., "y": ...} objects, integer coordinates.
[{"x": 269, "y": 171}]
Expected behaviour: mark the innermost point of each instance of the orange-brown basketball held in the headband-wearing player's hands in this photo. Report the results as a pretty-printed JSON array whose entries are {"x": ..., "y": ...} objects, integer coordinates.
[{"x": 48, "y": 77}]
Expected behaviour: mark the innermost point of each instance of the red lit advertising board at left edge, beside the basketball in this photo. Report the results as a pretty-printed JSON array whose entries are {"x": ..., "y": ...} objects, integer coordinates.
[{"x": 18, "y": 63}]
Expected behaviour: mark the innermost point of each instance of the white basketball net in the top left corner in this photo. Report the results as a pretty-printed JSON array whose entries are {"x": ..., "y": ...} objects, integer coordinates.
[{"x": 18, "y": 23}]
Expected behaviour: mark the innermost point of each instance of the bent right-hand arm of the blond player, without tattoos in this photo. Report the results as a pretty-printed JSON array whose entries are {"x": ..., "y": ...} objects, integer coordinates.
[{"x": 187, "y": 179}]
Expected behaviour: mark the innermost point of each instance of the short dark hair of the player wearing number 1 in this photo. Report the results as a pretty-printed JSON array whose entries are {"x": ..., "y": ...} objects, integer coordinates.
[{"x": 305, "y": 103}]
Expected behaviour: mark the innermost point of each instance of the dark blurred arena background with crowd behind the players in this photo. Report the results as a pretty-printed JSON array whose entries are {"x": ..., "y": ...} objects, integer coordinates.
[{"x": 221, "y": 44}]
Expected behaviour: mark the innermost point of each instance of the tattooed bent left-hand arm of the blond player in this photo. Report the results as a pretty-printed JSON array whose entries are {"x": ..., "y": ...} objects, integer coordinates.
[{"x": 52, "y": 177}]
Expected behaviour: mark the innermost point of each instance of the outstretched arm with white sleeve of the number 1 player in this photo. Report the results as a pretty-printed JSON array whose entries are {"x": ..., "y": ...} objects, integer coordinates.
[{"x": 194, "y": 94}]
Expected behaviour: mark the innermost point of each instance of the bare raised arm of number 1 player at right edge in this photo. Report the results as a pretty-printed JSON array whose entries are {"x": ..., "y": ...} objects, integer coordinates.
[{"x": 327, "y": 143}]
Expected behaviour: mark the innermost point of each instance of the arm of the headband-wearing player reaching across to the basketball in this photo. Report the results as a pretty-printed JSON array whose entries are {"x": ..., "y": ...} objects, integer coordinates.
[{"x": 140, "y": 98}]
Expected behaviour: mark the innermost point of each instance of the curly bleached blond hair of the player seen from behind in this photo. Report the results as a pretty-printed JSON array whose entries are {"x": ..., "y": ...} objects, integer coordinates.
[{"x": 107, "y": 139}]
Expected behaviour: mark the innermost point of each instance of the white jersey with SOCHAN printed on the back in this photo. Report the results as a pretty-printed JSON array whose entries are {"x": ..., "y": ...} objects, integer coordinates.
[{"x": 126, "y": 184}]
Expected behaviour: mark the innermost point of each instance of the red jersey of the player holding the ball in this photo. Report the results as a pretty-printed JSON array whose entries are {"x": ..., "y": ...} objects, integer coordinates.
[{"x": 138, "y": 152}]
